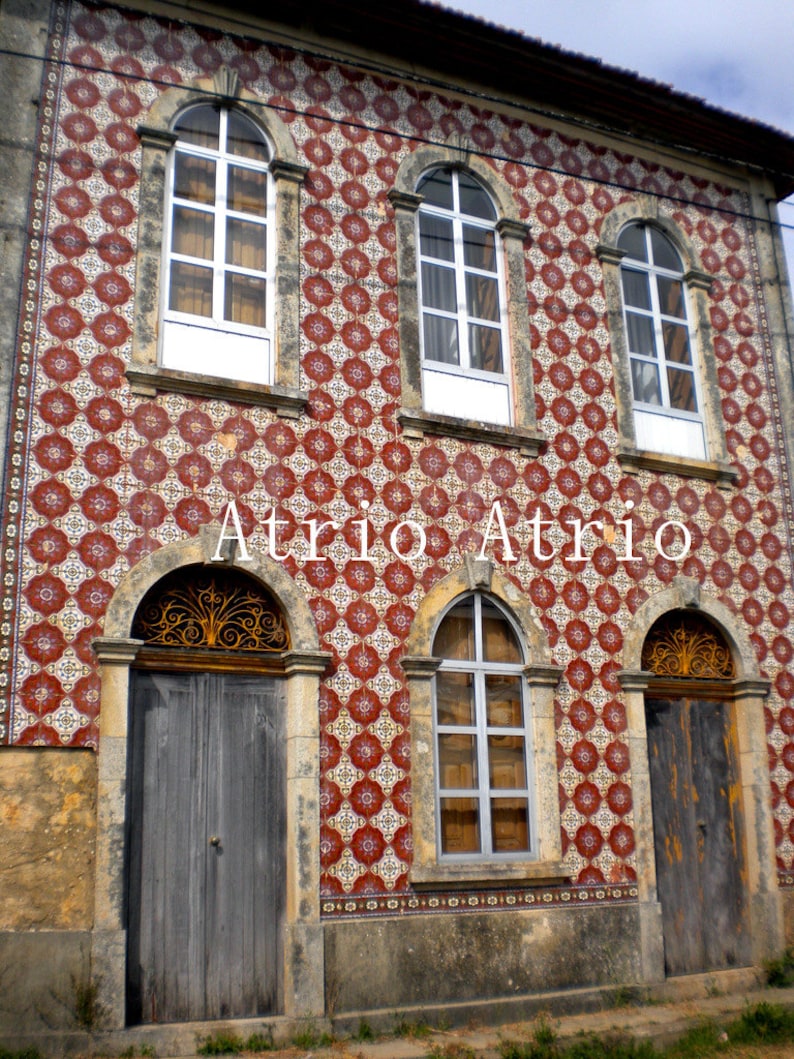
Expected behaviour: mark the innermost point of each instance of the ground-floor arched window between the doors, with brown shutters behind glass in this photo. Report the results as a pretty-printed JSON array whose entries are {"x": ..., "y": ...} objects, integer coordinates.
[{"x": 482, "y": 735}]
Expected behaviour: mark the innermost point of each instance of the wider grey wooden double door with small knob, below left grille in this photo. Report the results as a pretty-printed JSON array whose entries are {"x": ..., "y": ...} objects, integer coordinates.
[{"x": 205, "y": 847}]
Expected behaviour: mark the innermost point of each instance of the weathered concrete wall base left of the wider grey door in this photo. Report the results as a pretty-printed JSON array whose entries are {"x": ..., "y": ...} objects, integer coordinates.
[{"x": 44, "y": 976}]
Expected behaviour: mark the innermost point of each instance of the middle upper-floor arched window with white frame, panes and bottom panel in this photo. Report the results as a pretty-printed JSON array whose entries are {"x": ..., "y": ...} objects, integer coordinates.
[{"x": 462, "y": 299}]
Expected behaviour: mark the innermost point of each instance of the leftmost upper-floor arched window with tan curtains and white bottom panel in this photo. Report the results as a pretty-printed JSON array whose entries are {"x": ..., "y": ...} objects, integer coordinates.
[{"x": 220, "y": 245}]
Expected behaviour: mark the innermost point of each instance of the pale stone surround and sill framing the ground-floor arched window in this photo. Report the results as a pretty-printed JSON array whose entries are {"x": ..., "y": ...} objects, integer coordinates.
[{"x": 543, "y": 679}]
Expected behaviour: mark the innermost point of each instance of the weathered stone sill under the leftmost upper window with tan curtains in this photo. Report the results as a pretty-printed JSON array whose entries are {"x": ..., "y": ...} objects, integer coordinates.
[{"x": 148, "y": 380}]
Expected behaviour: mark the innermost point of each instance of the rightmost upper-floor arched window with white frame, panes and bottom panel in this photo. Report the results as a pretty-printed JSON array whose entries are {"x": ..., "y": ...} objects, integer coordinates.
[{"x": 669, "y": 414}]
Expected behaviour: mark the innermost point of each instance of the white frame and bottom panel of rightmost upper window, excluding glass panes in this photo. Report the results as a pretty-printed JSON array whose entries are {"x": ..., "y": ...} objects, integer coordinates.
[{"x": 662, "y": 427}]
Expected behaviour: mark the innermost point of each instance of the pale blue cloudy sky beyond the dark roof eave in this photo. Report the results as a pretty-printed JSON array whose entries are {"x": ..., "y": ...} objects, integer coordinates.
[{"x": 735, "y": 55}]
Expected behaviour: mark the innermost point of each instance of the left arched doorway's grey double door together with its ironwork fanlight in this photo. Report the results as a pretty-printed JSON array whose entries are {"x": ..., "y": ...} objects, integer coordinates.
[{"x": 206, "y": 875}]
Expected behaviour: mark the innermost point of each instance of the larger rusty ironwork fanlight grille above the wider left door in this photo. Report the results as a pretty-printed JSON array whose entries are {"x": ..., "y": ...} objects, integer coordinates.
[{"x": 211, "y": 609}]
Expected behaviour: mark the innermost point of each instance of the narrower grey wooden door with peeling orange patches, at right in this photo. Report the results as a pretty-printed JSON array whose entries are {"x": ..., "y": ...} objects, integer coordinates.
[{"x": 698, "y": 835}]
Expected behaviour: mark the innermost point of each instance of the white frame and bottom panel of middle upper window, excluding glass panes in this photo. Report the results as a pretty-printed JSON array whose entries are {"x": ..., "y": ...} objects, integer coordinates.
[{"x": 461, "y": 390}]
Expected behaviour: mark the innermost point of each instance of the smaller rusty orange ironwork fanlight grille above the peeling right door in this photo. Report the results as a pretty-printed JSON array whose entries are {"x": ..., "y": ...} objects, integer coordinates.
[{"x": 688, "y": 645}]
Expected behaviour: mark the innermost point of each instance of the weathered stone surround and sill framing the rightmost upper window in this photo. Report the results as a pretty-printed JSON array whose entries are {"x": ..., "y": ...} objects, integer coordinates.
[{"x": 718, "y": 469}]
